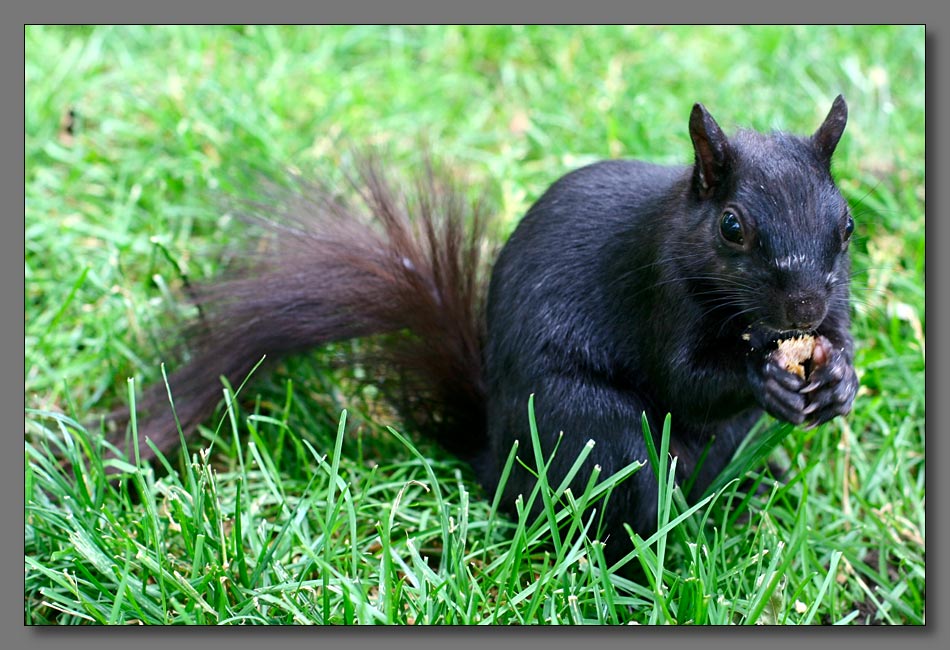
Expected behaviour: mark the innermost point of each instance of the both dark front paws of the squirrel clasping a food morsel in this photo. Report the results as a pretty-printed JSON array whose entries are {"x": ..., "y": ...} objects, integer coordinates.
[{"x": 827, "y": 391}]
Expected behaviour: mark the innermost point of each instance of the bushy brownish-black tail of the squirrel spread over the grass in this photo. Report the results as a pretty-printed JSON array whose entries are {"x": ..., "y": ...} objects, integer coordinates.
[{"x": 407, "y": 271}]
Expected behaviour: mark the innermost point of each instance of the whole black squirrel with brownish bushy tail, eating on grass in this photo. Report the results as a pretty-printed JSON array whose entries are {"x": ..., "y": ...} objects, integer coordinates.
[{"x": 627, "y": 288}]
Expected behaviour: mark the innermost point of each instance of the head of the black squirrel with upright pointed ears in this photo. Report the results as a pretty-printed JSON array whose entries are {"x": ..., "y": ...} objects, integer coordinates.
[{"x": 776, "y": 222}]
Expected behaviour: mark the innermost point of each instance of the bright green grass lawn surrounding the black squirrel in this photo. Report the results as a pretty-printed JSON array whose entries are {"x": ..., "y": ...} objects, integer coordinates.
[{"x": 302, "y": 502}]
